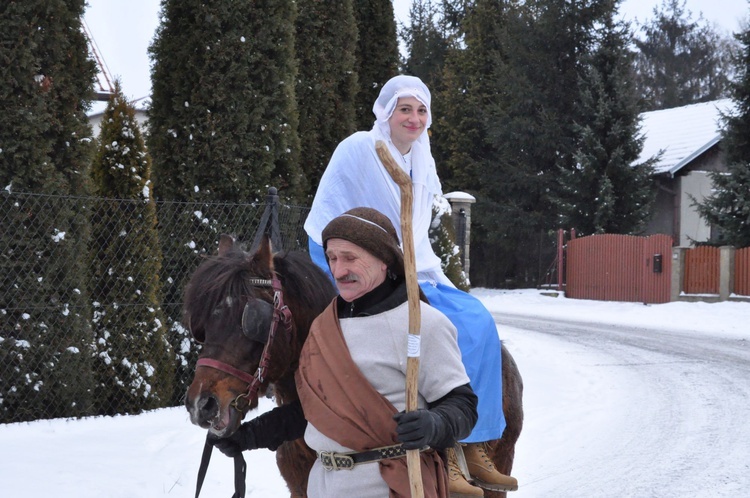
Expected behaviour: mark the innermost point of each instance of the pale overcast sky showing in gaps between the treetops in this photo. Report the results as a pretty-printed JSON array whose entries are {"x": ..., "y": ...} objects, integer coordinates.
[{"x": 123, "y": 30}]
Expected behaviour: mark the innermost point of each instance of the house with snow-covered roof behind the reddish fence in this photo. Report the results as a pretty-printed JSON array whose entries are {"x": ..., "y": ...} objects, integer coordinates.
[{"x": 688, "y": 139}]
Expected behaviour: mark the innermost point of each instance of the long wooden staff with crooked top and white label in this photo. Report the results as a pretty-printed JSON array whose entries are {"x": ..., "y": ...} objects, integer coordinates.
[{"x": 412, "y": 290}]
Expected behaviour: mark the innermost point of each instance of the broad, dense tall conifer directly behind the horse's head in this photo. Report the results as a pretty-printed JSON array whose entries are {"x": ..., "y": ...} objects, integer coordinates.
[{"x": 222, "y": 127}]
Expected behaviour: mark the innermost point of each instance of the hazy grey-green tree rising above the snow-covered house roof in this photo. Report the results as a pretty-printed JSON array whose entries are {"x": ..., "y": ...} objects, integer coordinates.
[{"x": 681, "y": 61}]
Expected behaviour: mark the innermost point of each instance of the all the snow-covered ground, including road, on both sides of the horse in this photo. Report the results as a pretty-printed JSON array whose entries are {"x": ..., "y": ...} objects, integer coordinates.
[{"x": 654, "y": 403}]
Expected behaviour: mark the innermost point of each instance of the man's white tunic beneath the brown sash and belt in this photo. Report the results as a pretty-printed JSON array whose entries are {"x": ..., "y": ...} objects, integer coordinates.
[{"x": 378, "y": 346}]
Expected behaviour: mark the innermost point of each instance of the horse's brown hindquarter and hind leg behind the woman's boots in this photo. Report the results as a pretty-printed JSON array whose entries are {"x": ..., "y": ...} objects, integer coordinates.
[{"x": 502, "y": 451}]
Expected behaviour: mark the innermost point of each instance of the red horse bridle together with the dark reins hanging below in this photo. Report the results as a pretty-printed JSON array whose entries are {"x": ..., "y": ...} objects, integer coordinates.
[{"x": 281, "y": 314}]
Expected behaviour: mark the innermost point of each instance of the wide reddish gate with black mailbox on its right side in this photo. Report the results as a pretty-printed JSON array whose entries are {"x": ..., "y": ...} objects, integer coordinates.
[{"x": 619, "y": 268}]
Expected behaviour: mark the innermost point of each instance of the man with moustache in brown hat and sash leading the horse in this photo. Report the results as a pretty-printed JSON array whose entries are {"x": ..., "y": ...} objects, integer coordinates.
[{"x": 352, "y": 373}]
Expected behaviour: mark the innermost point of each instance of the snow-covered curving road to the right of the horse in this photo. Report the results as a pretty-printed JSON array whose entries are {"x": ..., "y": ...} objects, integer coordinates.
[{"x": 620, "y": 411}]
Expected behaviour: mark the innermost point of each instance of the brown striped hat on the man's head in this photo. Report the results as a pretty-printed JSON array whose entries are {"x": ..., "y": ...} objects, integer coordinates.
[{"x": 372, "y": 231}]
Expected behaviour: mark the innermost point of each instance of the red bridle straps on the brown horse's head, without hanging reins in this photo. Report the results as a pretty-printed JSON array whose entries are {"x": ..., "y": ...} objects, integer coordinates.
[{"x": 281, "y": 314}]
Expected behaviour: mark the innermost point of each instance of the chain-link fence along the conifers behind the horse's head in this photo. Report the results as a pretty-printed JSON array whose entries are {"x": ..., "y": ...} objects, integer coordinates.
[{"x": 91, "y": 293}]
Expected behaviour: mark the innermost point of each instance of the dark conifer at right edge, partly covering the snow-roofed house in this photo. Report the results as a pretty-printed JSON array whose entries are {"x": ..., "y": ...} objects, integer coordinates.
[{"x": 728, "y": 208}]
